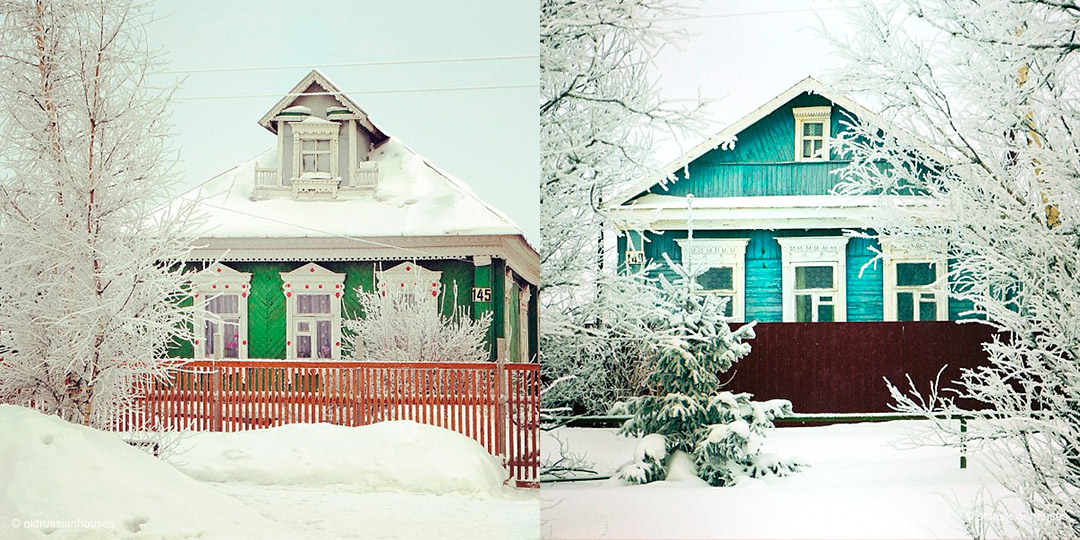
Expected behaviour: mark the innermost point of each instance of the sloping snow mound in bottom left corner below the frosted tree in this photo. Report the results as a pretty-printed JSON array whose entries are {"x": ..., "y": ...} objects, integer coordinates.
[{"x": 63, "y": 481}]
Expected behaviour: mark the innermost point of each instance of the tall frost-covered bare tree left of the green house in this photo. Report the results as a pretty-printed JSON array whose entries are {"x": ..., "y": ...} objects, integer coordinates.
[{"x": 90, "y": 261}]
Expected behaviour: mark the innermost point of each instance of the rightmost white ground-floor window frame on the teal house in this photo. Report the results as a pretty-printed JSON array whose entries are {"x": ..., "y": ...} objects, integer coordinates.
[{"x": 896, "y": 253}]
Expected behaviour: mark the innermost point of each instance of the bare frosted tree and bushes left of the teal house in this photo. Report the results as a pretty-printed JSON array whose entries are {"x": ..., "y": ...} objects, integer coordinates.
[{"x": 599, "y": 112}]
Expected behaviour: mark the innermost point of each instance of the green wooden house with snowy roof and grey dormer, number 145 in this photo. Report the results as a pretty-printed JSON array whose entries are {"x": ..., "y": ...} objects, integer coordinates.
[{"x": 339, "y": 206}]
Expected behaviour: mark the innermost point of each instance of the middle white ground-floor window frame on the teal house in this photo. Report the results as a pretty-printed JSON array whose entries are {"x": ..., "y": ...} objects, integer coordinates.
[{"x": 811, "y": 252}]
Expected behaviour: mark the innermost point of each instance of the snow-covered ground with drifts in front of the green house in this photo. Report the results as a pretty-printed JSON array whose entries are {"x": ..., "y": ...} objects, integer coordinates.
[{"x": 396, "y": 480}]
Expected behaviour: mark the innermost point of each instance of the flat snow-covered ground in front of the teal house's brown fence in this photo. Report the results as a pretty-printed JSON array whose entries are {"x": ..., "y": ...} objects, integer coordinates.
[{"x": 863, "y": 481}]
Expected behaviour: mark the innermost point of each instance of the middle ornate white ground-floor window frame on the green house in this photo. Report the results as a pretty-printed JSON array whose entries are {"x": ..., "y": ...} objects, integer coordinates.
[{"x": 313, "y": 279}]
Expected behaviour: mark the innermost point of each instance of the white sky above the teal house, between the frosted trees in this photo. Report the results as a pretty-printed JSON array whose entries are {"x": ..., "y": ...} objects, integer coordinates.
[{"x": 742, "y": 53}]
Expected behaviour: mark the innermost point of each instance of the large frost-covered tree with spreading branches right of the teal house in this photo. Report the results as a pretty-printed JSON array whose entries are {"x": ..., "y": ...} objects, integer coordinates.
[{"x": 994, "y": 85}]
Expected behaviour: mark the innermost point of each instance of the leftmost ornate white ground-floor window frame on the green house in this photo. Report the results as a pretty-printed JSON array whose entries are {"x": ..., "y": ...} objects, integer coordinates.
[{"x": 214, "y": 281}]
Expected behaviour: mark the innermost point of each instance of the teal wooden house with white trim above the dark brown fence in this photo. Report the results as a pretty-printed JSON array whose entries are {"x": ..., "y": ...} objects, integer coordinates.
[{"x": 767, "y": 232}]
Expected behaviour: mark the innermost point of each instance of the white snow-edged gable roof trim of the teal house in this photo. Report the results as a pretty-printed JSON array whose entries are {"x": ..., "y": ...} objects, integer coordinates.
[{"x": 727, "y": 137}]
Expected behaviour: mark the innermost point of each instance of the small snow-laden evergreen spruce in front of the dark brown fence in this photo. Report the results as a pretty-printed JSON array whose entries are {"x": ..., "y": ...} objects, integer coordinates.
[{"x": 686, "y": 412}]
